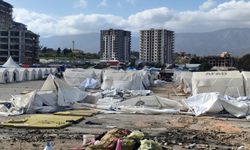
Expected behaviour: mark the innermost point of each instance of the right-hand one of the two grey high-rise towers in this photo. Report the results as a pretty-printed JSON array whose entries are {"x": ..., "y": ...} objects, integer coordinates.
[{"x": 156, "y": 46}]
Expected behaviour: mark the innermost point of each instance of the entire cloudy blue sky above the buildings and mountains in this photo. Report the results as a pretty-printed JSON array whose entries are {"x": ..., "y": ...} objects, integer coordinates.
[{"x": 64, "y": 17}]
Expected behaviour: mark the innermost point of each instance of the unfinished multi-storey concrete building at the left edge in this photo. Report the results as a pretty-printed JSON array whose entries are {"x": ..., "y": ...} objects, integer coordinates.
[{"x": 15, "y": 39}]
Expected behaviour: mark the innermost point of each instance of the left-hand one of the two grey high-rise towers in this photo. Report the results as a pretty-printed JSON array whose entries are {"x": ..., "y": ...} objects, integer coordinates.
[{"x": 115, "y": 45}]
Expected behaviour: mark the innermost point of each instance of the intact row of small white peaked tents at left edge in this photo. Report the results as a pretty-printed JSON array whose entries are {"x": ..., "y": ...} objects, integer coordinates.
[{"x": 11, "y": 72}]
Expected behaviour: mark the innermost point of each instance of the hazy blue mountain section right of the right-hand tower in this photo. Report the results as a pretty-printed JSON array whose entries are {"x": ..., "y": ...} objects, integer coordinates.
[{"x": 236, "y": 41}]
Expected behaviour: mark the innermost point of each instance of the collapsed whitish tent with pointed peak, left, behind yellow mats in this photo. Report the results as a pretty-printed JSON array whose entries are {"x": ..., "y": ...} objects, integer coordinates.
[{"x": 54, "y": 95}]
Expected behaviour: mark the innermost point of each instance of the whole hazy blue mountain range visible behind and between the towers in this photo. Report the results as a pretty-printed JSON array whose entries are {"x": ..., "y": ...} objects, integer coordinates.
[{"x": 237, "y": 41}]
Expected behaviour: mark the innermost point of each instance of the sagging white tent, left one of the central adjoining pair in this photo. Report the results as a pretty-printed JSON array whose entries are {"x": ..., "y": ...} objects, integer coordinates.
[{"x": 75, "y": 77}]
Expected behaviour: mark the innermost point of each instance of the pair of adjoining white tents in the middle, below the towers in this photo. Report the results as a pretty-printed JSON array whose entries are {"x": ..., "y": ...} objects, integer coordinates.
[{"x": 110, "y": 79}]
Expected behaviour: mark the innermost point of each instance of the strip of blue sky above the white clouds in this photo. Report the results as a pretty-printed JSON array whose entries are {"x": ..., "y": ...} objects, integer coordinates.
[{"x": 118, "y": 7}]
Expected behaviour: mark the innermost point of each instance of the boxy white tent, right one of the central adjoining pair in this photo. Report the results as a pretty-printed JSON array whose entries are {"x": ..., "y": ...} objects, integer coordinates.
[{"x": 122, "y": 80}]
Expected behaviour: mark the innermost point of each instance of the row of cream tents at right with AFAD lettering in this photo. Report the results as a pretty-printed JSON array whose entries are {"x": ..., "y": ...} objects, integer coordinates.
[{"x": 231, "y": 83}]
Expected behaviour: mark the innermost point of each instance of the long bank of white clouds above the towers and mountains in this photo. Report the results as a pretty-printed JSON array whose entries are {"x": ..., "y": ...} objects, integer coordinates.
[{"x": 232, "y": 14}]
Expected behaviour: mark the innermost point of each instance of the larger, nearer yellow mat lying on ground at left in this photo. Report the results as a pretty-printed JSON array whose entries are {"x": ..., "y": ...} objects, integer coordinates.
[{"x": 43, "y": 121}]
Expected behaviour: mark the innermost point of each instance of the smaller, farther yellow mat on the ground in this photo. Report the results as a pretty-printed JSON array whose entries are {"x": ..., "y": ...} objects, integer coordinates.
[{"x": 83, "y": 112}]
